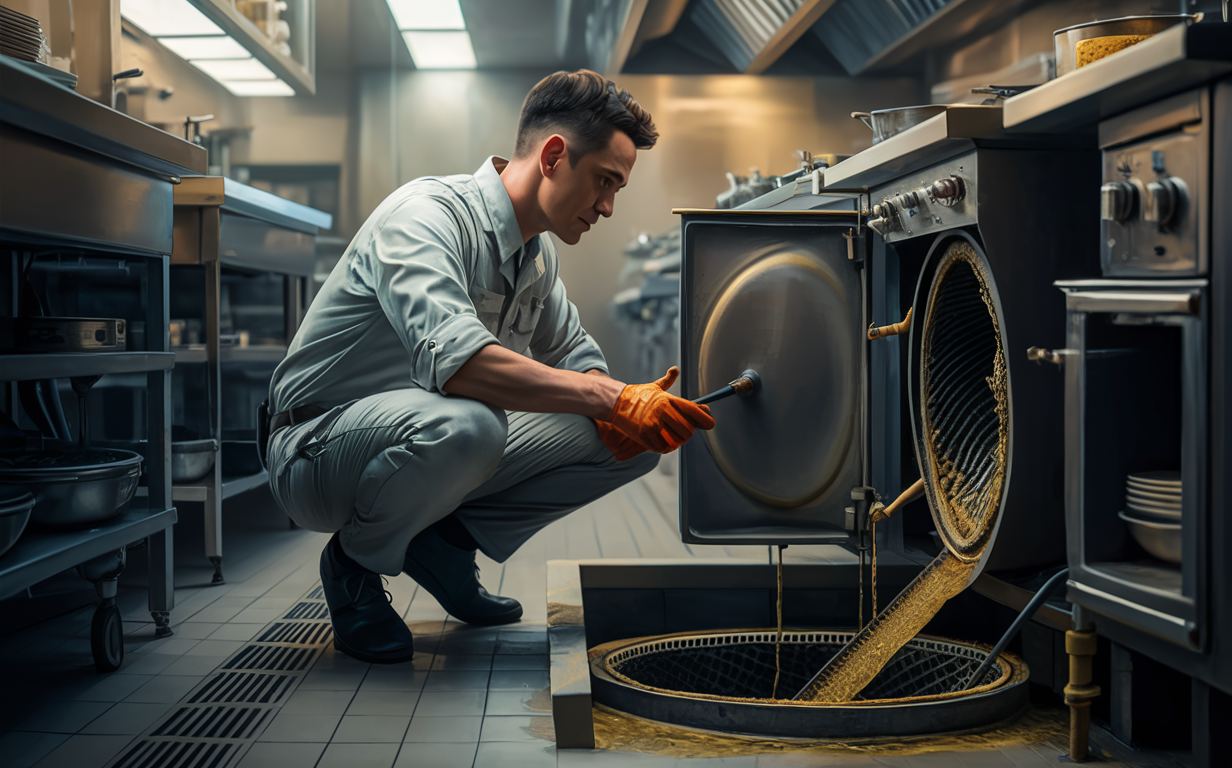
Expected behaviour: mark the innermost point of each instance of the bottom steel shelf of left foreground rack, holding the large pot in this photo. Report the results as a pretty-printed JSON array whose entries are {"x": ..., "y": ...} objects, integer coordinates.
[{"x": 41, "y": 555}]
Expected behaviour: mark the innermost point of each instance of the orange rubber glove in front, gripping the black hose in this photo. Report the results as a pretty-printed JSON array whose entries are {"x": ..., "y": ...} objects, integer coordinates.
[{"x": 661, "y": 422}]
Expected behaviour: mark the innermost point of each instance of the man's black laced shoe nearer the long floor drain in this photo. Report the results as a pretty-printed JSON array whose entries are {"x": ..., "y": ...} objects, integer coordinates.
[{"x": 365, "y": 626}]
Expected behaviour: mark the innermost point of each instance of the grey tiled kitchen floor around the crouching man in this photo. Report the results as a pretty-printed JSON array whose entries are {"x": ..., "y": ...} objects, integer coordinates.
[{"x": 472, "y": 697}]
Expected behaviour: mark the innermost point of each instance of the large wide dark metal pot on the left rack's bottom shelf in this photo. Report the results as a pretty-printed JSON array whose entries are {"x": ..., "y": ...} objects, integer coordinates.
[{"x": 76, "y": 488}]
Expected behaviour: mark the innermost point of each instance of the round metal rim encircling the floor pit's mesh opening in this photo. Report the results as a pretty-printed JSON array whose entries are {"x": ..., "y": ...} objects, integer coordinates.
[{"x": 1015, "y": 670}]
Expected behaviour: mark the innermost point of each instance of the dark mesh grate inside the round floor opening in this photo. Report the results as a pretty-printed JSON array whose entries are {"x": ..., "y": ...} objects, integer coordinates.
[{"x": 742, "y": 666}]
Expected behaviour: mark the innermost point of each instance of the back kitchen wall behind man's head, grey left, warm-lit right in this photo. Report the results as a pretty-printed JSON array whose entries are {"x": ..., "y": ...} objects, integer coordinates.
[{"x": 423, "y": 123}]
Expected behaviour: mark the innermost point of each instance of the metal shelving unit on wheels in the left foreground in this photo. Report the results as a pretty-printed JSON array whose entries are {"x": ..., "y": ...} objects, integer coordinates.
[{"x": 76, "y": 173}]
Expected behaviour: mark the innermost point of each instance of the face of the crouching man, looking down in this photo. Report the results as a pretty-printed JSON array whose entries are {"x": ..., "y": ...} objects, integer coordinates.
[{"x": 575, "y": 197}]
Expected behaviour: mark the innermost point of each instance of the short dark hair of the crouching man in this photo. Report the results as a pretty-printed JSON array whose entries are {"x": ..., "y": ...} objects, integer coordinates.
[{"x": 587, "y": 109}]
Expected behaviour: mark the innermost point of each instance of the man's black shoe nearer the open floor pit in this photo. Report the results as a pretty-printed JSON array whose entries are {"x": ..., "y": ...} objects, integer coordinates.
[{"x": 453, "y": 578}]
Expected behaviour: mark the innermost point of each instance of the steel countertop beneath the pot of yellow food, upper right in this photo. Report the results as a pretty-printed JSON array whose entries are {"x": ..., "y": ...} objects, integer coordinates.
[{"x": 1169, "y": 63}]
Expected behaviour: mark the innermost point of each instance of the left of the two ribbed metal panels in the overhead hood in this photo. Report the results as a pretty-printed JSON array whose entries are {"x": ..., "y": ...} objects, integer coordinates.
[{"x": 755, "y": 34}]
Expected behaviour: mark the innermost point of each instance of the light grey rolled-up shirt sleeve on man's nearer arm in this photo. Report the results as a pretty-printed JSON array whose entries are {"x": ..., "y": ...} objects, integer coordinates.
[{"x": 423, "y": 269}]
